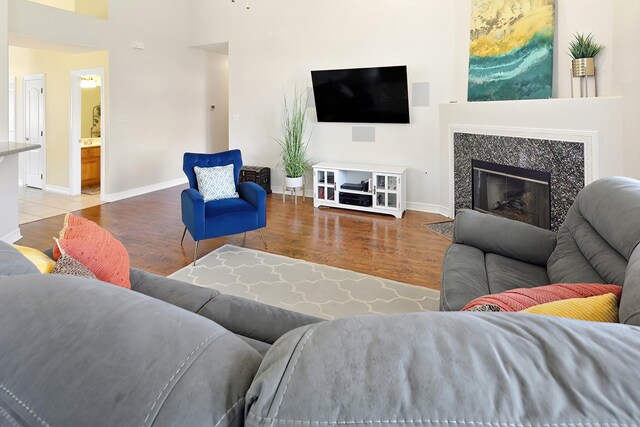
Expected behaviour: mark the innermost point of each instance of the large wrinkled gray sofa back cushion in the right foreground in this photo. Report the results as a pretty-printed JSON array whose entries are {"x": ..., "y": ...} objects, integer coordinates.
[{"x": 449, "y": 369}]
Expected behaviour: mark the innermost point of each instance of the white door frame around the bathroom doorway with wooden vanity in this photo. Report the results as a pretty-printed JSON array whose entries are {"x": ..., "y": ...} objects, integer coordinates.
[{"x": 75, "y": 127}]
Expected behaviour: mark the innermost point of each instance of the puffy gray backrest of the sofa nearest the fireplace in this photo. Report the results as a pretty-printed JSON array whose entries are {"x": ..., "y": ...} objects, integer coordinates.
[{"x": 600, "y": 232}]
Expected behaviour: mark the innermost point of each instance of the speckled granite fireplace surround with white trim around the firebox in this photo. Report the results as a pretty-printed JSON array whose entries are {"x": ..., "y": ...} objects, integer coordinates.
[{"x": 570, "y": 157}]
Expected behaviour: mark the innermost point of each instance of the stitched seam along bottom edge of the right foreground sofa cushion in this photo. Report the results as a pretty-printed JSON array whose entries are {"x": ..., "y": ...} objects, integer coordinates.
[{"x": 449, "y": 422}]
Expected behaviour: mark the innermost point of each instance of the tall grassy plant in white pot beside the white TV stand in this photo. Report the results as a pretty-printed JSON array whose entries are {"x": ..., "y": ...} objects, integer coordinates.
[{"x": 293, "y": 156}]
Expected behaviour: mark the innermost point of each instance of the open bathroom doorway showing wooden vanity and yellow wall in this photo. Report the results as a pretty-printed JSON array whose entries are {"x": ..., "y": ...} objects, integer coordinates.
[{"x": 87, "y": 137}]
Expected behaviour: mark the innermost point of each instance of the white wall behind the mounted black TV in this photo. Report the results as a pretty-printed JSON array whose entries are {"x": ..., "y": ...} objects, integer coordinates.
[{"x": 274, "y": 46}]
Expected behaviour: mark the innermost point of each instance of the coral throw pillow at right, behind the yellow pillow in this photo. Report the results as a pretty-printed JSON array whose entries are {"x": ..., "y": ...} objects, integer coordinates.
[{"x": 521, "y": 299}]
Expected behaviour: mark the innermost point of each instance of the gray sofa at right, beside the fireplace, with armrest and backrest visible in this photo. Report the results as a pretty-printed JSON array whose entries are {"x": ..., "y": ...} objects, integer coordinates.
[{"x": 597, "y": 243}]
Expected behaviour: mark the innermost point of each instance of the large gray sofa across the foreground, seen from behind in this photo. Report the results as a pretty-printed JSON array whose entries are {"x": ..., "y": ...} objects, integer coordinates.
[{"x": 79, "y": 352}]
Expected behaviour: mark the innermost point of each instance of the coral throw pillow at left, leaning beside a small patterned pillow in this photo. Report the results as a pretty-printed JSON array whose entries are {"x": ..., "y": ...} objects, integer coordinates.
[{"x": 95, "y": 248}]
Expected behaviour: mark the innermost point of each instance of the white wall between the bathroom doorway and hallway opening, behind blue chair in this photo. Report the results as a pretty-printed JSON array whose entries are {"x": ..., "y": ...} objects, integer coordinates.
[{"x": 157, "y": 97}]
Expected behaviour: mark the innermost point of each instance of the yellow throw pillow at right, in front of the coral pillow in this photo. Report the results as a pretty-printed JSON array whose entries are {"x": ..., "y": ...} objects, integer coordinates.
[{"x": 601, "y": 308}]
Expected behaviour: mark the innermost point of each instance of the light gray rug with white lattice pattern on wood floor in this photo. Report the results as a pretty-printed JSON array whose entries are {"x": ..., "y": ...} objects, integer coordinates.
[{"x": 305, "y": 287}]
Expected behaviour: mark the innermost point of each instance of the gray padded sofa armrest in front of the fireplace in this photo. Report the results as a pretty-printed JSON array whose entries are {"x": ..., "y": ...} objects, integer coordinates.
[{"x": 503, "y": 236}]
